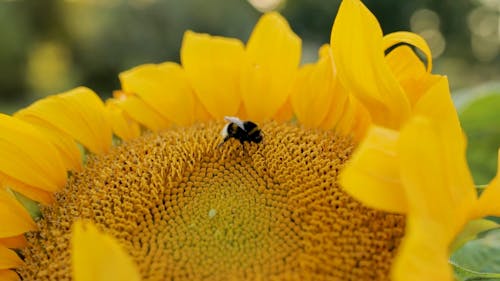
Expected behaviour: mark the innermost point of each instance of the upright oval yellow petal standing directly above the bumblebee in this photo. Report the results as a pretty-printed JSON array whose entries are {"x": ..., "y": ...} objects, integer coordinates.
[{"x": 270, "y": 65}]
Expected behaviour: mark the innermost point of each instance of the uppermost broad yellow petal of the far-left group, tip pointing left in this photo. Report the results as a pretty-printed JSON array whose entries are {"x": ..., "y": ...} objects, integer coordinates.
[{"x": 78, "y": 113}]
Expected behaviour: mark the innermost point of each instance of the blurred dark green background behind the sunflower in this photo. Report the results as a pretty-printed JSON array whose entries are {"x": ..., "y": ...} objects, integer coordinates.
[{"x": 49, "y": 46}]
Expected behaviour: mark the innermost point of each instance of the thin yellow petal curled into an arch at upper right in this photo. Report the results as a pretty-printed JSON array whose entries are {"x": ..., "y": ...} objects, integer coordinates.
[{"x": 413, "y": 39}]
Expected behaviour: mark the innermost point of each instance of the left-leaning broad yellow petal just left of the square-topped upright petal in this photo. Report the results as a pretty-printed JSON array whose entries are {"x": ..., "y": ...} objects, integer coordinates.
[{"x": 164, "y": 88}]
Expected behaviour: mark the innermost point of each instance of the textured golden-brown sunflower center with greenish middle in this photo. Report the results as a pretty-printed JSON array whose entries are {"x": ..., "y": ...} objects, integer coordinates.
[{"x": 186, "y": 209}]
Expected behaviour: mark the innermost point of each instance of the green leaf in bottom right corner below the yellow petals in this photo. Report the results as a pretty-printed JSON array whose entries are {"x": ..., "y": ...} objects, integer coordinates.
[{"x": 478, "y": 259}]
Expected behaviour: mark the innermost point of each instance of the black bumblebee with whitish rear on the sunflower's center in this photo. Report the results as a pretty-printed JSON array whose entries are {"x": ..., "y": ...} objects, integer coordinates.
[{"x": 244, "y": 131}]
